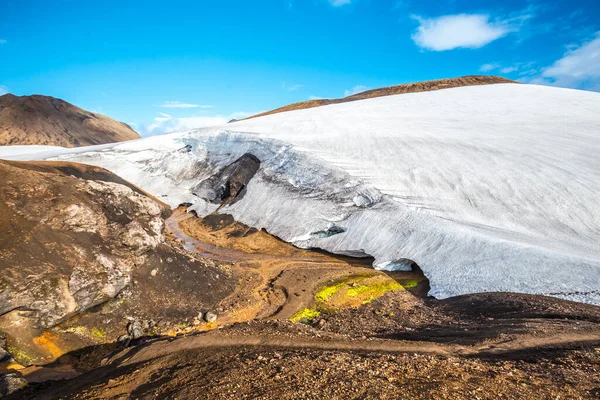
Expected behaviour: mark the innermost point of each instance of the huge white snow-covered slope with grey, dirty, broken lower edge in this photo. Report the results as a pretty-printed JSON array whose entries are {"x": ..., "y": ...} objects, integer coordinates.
[{"x": 488, "y": 188}]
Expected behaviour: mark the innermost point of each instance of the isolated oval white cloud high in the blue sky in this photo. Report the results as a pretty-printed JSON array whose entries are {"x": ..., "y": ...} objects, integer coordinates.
[{"x": 470, "y": 31}]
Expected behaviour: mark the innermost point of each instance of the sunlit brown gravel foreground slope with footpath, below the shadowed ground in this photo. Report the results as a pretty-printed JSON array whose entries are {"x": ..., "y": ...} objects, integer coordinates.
[{"x": 283, "y": 360}]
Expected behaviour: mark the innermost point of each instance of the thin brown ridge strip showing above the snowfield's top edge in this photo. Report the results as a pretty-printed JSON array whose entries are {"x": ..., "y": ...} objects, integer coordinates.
[{"x": 391, "y": 90}]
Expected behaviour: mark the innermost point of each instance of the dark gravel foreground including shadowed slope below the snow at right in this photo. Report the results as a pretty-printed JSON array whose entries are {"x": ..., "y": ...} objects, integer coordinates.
[{"x": 532, "y": 348}]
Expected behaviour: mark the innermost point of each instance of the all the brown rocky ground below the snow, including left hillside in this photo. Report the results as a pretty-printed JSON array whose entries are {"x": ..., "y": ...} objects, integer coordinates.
[{"x": 107, "y": 293}]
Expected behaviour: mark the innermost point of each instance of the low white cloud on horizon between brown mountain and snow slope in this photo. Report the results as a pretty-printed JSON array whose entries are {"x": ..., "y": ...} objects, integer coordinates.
[{"x": 166, "y": 123}]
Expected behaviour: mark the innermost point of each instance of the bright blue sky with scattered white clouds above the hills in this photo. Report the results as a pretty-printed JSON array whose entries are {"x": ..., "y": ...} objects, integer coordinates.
[{"x": 164, "y": 66}]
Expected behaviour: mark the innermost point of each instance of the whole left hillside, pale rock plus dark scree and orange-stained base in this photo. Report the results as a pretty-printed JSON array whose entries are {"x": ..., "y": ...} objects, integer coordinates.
[{"x": 82, "y": 252}]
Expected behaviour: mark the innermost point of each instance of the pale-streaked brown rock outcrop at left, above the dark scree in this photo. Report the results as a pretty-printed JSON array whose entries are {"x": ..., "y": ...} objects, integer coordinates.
[{"x": 105, "y": 229}]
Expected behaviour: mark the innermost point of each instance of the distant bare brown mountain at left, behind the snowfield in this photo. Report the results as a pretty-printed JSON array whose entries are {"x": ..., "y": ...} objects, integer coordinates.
[{"x": 45, "y": 120}]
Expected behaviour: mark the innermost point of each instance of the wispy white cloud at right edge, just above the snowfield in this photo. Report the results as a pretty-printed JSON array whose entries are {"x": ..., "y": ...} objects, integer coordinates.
[{"x": 578, "y": 68}]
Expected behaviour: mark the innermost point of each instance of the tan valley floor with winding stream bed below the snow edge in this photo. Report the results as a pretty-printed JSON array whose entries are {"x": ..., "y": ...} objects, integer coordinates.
[{"x": 276, "y": 278}]
